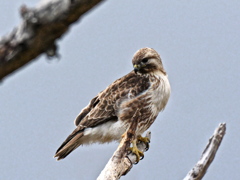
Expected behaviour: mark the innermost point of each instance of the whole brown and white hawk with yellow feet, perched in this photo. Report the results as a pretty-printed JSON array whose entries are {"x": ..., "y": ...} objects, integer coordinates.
[{"x": 108, "y": 115}]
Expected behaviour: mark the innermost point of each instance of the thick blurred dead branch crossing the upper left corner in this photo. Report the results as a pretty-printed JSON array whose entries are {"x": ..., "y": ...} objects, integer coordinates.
[{"x": 38, "y": 31}]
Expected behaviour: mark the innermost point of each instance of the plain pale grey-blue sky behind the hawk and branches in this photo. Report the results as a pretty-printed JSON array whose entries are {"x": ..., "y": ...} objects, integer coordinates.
[{"x": 199, "y": 44}]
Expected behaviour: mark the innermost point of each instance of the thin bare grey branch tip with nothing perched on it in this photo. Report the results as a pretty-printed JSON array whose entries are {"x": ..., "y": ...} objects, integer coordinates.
[{"x": 208, "y": 154}]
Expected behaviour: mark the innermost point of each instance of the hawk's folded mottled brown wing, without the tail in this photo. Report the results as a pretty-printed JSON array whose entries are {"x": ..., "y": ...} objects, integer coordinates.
[{"x": 105, "y": 105}]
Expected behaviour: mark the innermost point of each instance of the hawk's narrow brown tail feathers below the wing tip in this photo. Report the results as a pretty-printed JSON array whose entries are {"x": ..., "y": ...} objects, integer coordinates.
[{"x": 70, "y": 144}]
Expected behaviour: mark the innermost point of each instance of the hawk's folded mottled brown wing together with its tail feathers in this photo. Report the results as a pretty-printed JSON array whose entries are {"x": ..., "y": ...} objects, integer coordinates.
[{"x": 104, "y": 107}]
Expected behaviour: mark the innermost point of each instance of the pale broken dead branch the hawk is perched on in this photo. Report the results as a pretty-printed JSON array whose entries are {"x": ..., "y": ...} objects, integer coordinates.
[{"x": 121, "y": 162}]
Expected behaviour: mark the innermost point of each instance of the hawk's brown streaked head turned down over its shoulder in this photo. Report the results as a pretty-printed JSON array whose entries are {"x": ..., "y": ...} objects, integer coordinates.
[{"x": 147, "y": 60}]
